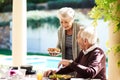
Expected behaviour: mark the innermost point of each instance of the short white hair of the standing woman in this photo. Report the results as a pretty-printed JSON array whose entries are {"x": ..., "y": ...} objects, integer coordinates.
[{"x": 66, "y": 13}]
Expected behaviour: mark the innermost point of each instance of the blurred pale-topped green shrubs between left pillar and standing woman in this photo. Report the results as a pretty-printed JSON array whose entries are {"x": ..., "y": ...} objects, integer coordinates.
[{"x": 35, "y": 19}]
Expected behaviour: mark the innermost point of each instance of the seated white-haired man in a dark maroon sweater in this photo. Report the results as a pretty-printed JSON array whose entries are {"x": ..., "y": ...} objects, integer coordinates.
[{"x": 91, "y": 62}]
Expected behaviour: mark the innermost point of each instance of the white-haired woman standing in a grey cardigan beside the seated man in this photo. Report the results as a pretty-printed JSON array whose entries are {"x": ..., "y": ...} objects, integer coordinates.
[{"x": 67, "y": 34}]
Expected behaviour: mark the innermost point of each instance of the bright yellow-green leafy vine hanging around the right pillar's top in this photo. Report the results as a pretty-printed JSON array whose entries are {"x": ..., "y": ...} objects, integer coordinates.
[{"x": 108, "y": 10}]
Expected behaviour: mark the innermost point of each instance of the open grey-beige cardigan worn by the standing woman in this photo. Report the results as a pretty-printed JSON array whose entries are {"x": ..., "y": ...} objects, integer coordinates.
[{"x": 61, "y": 40}]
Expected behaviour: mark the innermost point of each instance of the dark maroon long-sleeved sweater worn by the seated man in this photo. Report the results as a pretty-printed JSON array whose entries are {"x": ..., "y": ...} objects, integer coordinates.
[{"x": 92, "y": 65}]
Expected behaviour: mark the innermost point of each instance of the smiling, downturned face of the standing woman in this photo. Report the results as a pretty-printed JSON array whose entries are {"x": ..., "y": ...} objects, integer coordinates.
[{"x": 66, "y": 23}]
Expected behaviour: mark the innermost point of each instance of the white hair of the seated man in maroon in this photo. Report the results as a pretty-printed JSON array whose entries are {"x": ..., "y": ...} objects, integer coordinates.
[{"x": 90, "y": 34}]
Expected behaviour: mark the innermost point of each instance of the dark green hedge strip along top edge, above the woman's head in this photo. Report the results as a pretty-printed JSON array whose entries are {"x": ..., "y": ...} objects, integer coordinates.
[{"x": 56, "y": 4}]
